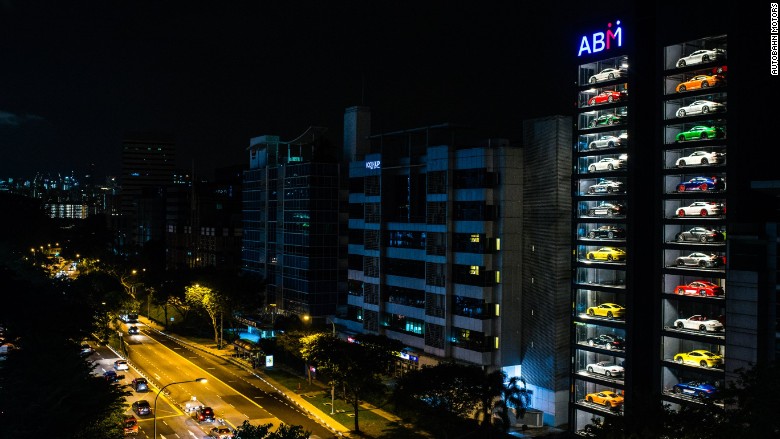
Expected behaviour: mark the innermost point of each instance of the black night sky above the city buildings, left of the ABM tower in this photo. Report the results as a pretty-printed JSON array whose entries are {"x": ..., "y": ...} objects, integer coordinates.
[{"x": 78, "y": 77}]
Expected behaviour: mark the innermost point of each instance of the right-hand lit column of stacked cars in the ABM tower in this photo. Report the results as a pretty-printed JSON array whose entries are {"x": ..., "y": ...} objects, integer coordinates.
[{"x": 695, "y": 168}]
